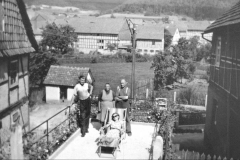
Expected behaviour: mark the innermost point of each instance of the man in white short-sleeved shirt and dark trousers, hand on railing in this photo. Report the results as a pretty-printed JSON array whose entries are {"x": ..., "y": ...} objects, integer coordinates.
[{"x": 82, "y": 96}]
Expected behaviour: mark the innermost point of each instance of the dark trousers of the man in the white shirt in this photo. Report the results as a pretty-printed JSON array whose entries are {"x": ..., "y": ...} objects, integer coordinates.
[{"x": 84, "y": 107}]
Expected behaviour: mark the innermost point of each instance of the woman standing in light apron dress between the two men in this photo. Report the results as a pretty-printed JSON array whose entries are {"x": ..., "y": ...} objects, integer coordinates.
[{"x": 105, "y": 101}]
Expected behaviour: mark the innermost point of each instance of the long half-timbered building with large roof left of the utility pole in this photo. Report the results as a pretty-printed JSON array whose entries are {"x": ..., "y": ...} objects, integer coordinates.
[{"x": 95, "y": 34}]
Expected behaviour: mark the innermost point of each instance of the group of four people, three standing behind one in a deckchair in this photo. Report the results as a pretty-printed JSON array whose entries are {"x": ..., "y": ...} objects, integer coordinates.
[{"x": 107, "y": 99}]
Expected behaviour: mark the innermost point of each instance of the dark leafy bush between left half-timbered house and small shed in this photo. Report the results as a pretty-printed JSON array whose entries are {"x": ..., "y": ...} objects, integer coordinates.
[{"x": 39, "y": 65}]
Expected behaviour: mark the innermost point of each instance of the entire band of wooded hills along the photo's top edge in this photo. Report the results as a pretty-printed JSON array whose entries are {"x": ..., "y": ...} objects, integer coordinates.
[{"x": 197, "y": 9}]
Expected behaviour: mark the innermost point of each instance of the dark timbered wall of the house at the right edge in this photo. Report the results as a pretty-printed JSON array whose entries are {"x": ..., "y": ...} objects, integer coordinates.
[{"x": 224, "y": 86}]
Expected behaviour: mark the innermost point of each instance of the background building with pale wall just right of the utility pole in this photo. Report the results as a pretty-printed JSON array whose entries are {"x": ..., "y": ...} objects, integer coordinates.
[{"x": 150, "y": 39}]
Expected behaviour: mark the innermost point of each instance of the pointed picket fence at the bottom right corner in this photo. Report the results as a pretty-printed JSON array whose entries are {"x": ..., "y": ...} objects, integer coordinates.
[{"x": 191, "y": 155}]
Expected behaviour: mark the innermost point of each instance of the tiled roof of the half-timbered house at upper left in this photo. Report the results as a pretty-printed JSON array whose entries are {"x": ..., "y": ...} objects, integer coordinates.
[{"x": 13, "y": 36}]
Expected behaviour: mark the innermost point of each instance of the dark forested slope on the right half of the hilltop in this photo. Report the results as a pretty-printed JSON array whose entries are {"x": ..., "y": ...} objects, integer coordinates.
[{"x": 197, "y": 9}]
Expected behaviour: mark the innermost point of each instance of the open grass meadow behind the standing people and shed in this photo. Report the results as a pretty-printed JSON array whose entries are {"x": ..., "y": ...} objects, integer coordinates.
[{"x": 114, "y": 72}]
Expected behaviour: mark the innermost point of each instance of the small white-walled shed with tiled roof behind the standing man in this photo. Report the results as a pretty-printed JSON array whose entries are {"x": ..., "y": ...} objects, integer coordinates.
[{"x": 61, "y": 80}]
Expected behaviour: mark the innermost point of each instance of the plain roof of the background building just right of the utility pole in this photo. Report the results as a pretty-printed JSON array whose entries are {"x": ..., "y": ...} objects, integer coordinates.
[{"x": 155, "y": 32}]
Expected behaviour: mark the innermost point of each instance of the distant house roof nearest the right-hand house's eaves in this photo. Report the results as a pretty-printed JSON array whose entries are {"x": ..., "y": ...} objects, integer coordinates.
[{"x": 198, "y": 25}]
